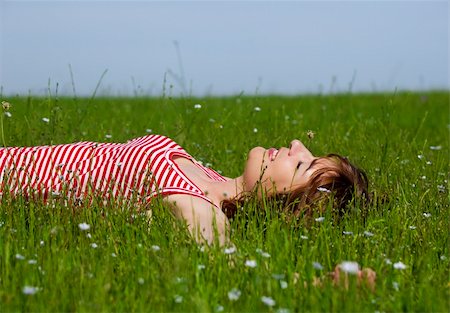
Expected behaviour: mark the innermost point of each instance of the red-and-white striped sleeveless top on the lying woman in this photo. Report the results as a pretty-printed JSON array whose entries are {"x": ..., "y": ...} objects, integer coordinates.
[{"x": 137, "y": 170}]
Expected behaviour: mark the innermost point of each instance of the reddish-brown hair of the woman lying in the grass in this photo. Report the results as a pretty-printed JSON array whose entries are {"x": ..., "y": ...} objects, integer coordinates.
[{"x": 339, "y": 183}]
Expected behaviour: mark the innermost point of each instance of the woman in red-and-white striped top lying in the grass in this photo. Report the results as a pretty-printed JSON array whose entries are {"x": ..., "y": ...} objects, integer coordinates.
[{"x": 143, "y": 168}]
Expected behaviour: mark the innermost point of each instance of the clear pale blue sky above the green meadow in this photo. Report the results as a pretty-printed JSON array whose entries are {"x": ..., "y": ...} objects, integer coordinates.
[{"x": 126, "y": 48}]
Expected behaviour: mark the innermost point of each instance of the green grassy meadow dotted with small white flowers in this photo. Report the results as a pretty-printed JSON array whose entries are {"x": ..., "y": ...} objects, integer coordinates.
[{"x": 110, "y": 259}]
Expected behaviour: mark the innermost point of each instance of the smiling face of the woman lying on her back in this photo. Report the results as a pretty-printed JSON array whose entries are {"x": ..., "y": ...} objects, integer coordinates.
[{"x": 279, "y": 170}]
